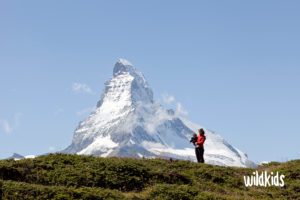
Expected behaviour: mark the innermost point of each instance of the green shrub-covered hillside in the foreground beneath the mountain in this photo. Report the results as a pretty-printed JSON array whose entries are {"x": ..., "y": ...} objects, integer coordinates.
[{"x": 59, "y": 176}]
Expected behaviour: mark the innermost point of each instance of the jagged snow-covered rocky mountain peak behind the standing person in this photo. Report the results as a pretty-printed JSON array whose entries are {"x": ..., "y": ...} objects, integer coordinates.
[{"x": 127, "y": 122}]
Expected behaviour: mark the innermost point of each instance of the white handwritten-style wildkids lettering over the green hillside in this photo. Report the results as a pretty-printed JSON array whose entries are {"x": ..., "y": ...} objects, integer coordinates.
[{"x": 264, "y": 179}]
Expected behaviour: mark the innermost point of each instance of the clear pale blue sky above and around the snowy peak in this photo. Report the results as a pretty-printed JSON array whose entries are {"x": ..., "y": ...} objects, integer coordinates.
[{"x": 233, "y": 65}]
